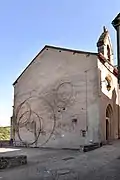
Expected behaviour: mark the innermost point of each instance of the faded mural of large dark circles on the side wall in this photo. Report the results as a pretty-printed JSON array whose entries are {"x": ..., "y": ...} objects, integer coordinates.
[{"x": 40, "y": 115}]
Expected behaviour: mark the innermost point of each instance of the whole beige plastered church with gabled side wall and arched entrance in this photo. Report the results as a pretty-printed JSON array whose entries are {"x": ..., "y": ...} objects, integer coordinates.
[{"x": 64, "y": 99}]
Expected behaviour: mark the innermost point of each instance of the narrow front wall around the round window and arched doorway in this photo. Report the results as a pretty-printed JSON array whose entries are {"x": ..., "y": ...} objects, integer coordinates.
[{"x": 108, "y": 98}]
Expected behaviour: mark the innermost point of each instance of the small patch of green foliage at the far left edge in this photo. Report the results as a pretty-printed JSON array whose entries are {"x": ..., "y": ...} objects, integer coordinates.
[{"x": 4, "y": 133}]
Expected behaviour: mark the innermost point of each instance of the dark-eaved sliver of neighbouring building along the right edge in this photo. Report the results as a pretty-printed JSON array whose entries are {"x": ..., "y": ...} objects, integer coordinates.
[{"x": 116, "y": 25}]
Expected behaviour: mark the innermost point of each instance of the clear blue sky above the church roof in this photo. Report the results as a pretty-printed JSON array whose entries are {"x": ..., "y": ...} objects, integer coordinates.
[{"x": 27, "y": 25}]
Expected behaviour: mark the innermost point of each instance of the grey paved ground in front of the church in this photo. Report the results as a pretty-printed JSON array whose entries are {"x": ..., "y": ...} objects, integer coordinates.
[{"x": 102, "y": 163}]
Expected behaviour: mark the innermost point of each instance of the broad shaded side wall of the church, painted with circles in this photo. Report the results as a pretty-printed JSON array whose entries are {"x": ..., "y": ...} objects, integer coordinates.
[{"x": 56, "y": 100}]
